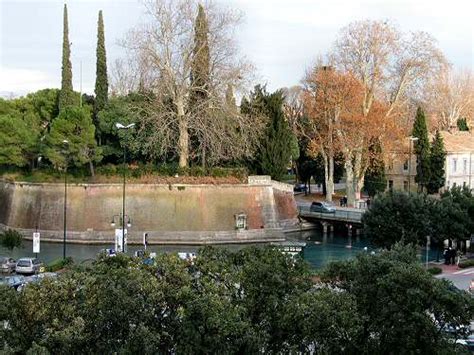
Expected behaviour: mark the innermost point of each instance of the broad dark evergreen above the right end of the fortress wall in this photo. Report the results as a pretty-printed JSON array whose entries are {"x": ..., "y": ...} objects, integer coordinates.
[{"x": 275, "y": 153}]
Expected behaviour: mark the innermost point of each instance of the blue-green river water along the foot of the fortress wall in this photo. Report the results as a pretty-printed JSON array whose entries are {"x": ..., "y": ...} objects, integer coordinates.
[{"x": 319, "y": 249}]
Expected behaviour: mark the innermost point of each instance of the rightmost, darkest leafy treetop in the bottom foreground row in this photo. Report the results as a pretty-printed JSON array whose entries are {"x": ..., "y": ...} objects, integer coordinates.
[{"x": 403, "y": 309}]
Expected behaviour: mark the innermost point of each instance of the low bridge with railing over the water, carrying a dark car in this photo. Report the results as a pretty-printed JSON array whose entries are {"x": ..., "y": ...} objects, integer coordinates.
[{"x": 351, "y": 216}]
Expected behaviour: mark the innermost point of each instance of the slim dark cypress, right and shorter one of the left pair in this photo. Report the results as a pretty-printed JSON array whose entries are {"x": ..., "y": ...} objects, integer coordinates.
[{"x": 101, "y": 83}]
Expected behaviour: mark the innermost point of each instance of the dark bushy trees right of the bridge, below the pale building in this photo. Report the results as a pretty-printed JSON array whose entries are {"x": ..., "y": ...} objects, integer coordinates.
[{"x": 397, "y": 216}]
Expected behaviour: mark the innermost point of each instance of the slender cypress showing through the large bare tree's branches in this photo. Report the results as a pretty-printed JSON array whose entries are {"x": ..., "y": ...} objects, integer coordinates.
[{"x": 200, "y": 75}]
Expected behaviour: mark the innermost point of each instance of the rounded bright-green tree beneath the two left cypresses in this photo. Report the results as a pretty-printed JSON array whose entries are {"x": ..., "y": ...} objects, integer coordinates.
[{"x": 73, "y": 124}]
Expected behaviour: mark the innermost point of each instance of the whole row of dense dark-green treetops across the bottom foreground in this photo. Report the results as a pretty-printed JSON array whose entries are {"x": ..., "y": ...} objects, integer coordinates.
[{"x": 255, "y": 300}]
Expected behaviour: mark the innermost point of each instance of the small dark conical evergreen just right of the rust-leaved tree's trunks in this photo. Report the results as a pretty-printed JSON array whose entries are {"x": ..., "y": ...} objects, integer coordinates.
[{"x": 375, "y": 180}]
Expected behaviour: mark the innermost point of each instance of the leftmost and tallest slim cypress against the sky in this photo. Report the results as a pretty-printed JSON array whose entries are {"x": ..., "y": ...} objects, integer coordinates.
[{"x": 66, "y": 97}]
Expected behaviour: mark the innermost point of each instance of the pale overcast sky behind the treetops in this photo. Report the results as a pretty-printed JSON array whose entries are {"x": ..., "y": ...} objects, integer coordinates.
[{"x": 281, "y": 37}]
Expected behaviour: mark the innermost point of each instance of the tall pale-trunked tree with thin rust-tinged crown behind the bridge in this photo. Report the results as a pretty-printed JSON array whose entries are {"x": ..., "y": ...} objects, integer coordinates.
[{"x": 391, "y": 66}]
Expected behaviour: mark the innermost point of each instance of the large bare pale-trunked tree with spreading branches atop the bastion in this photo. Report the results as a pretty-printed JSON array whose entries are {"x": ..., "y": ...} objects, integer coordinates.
[{"x": 161, "y": 56}]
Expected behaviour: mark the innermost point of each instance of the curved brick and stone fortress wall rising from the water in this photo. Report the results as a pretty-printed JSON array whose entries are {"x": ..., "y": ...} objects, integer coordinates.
[{"x": 171, "y": 214}]
